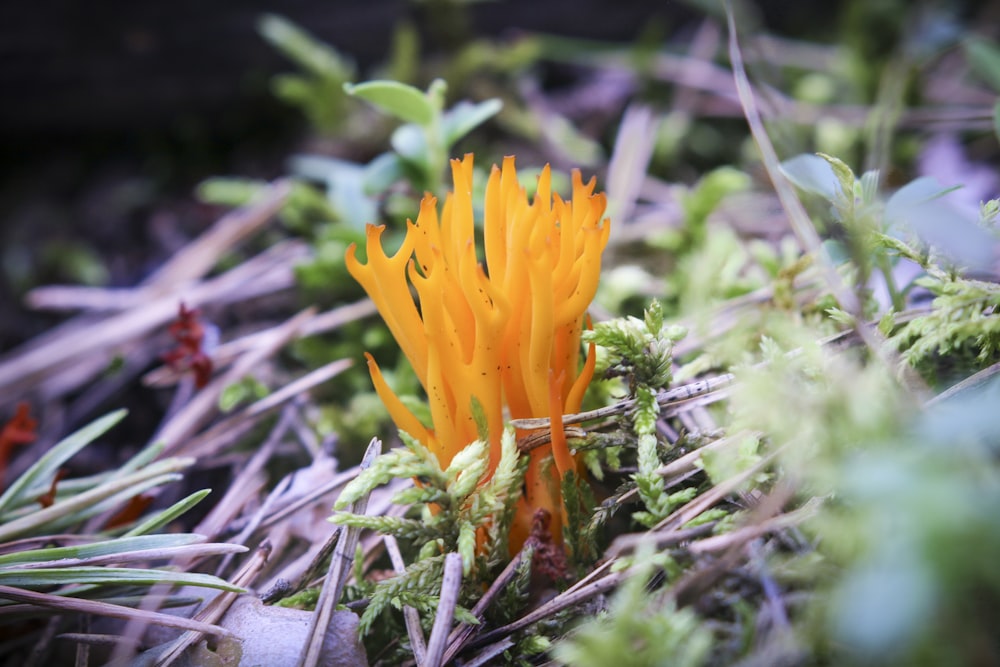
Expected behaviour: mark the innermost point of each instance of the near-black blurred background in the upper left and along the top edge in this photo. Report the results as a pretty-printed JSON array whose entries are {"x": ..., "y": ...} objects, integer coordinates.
[{"x": 113, "y": 110}]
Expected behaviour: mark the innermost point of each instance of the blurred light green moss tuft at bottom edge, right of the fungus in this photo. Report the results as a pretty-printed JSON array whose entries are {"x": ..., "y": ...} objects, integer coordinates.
[{"x": 639, "y": 628}]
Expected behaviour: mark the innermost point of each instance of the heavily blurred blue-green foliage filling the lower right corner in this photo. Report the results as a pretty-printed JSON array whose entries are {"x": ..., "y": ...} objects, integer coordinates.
[{"x": 916, "y": 529}]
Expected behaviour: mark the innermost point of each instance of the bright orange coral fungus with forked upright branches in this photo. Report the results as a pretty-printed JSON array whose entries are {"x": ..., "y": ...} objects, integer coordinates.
[{"x": 506, "y": 337}]
